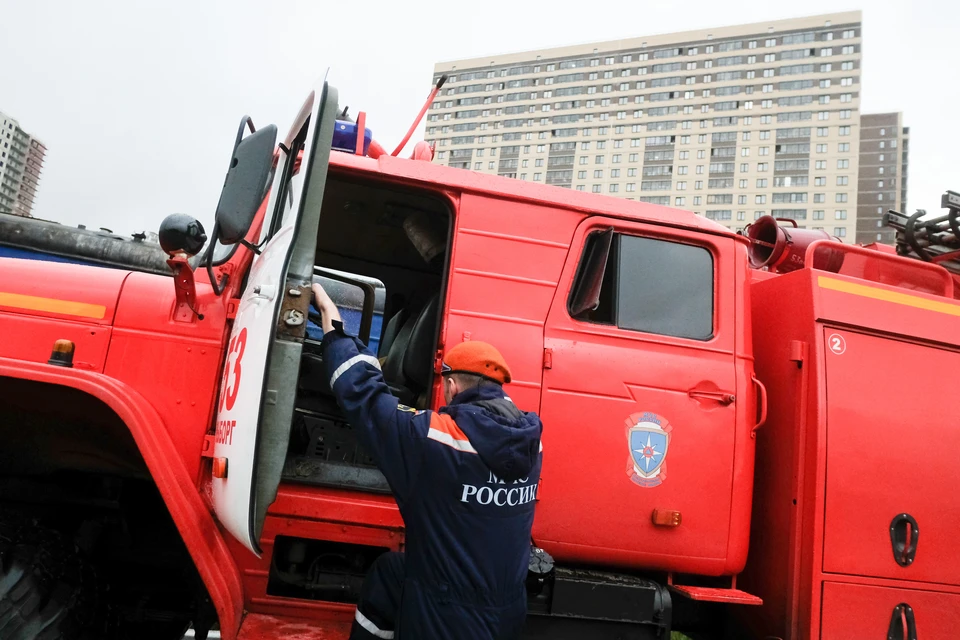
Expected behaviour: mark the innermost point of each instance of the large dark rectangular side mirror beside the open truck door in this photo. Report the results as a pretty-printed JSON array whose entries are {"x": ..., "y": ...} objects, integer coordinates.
[{"x": 245, "y": 183}]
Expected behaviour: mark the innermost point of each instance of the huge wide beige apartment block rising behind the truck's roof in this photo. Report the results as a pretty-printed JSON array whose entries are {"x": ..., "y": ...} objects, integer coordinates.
[{"x": 731, "y": 123}]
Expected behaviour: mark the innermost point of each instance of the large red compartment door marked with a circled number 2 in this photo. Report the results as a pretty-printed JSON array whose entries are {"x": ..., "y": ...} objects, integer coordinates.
[{"x": 887, "y": 431}]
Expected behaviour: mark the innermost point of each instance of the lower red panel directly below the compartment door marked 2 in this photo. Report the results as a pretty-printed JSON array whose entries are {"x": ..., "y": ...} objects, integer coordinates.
[{"x": 859, "y": 612}]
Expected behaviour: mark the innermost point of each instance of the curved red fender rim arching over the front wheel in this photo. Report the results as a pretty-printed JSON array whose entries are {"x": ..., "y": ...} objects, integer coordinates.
[{"x": 191, "y": 516}]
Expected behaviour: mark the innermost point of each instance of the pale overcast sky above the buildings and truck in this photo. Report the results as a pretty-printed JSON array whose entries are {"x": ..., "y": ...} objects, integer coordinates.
[{"x": 138, "y": 102}]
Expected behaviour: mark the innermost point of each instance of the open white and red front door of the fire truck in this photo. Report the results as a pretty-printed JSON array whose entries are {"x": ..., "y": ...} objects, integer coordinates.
[{"x": 257, "y": 393}]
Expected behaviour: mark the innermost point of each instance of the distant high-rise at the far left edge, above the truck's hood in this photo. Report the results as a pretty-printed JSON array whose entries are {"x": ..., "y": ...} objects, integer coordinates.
[{"x": 21, "y": 160}]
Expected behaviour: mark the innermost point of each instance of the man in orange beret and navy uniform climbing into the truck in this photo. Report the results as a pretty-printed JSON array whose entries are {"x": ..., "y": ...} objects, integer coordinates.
[{"x": 465, "y": 479}]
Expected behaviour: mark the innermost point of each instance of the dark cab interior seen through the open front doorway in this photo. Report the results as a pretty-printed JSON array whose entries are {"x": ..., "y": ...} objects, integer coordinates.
[{"x": 382, "y": 252}]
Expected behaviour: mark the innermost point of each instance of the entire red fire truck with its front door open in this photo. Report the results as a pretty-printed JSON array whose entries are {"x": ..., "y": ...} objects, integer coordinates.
[{"x": 746, "y": 436}]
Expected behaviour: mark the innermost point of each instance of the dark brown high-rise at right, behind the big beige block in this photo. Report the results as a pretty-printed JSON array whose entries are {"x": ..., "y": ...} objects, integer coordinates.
[{"x": 882, "y": 185}]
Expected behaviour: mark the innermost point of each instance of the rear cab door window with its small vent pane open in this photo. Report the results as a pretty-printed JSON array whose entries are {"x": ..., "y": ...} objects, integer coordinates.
[{"x": 645, "y": 284}]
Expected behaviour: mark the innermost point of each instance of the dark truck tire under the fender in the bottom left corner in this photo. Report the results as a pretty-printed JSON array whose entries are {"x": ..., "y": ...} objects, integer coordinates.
[{"x": 46, "y": 591}]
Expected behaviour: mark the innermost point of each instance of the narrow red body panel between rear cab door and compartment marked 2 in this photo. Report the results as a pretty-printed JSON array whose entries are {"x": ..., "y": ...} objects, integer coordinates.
[{"x": 783, "y": 542}]
